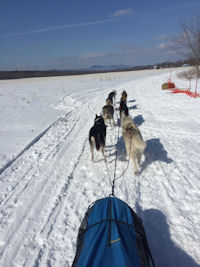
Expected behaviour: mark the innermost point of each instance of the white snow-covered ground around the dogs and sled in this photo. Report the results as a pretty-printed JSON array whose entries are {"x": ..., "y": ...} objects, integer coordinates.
[{"x": 47, "y": 179}]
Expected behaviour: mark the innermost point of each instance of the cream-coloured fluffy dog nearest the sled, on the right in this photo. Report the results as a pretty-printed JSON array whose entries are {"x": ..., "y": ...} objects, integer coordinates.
[{"x": 133, "y": 141}]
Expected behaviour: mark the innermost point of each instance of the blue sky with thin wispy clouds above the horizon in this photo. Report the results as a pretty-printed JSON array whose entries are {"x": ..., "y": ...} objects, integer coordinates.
[{"x": 64, "y": 34}]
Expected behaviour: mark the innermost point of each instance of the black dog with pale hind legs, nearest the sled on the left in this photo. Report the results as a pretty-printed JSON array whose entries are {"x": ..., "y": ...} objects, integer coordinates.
[{"x": 97, "y": 136}]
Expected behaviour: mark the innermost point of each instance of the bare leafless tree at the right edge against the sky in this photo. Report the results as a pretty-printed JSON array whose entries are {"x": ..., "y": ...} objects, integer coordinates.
[{"x": 187, "y": 43}]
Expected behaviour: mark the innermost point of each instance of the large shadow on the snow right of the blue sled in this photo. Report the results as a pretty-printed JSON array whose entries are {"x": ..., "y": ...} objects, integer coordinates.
[{"x": 164, "y": 251}]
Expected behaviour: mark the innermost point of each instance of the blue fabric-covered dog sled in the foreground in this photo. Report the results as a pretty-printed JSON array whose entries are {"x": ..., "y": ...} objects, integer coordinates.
[{"x": 111, "y": 234}]
